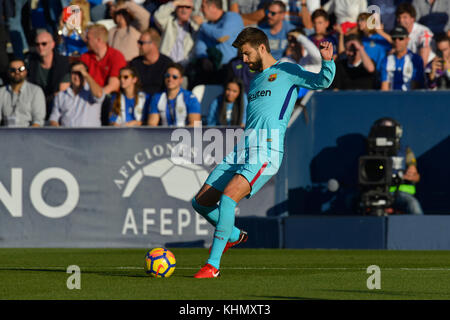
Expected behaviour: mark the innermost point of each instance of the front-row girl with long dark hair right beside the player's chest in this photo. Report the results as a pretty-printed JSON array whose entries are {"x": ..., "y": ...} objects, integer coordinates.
[{"x": 229, "y": 109}]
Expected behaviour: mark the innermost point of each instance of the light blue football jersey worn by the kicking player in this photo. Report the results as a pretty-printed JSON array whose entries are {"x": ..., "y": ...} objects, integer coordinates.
[{"x": 272, "y": 97}]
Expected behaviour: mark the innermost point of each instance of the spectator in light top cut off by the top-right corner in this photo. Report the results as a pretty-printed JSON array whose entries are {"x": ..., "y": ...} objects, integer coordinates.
[{"x": 435, "y": 14}]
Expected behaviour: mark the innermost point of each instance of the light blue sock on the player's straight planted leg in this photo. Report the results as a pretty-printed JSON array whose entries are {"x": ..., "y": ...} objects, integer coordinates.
[{"x": 223, "y": 230}]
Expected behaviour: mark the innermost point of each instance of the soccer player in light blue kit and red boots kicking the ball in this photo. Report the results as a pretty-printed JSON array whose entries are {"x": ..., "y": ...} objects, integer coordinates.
[{"x": 272, "y": 95}]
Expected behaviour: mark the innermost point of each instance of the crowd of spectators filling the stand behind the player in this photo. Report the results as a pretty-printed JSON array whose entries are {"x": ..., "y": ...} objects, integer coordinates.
[{"x": 89, "y": 63}]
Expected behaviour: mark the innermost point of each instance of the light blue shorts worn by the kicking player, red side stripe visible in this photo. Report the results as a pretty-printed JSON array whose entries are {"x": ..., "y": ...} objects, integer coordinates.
[{"x": 257, "y": 168}]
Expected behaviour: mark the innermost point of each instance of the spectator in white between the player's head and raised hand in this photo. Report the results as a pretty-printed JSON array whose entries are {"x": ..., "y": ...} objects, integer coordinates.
[{"x": 302, "y": 51}]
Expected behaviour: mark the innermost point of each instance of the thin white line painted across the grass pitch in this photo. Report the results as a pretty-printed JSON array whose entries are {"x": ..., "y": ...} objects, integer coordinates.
[{"x": 230, "y": 268}]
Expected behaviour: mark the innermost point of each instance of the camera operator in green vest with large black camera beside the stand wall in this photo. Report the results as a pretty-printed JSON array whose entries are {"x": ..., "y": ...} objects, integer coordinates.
[{"x": 389, "y": 173}]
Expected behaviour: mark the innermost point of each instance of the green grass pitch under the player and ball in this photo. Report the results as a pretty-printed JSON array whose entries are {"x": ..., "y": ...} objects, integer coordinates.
[{"x": 250, "y": 274}]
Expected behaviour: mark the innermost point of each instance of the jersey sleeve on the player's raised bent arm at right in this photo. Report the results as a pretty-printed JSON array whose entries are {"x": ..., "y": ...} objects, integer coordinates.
[{"x": 309, "y": 80}]
